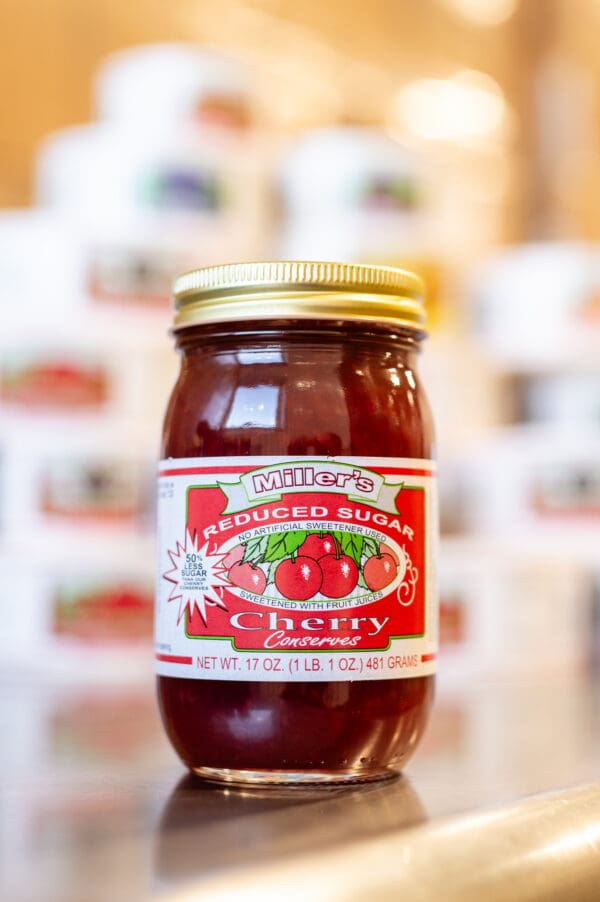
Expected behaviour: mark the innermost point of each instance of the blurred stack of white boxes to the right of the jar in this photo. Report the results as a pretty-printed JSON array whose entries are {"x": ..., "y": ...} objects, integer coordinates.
[{"x": 520, "y": 596}]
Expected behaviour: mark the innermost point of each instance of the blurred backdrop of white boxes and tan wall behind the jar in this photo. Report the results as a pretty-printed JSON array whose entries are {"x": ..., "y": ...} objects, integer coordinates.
[{"x": 456, "y": 137}]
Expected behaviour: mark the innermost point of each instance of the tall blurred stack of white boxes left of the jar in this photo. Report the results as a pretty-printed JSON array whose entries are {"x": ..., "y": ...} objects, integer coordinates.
[{"x": 162, "y": 182}]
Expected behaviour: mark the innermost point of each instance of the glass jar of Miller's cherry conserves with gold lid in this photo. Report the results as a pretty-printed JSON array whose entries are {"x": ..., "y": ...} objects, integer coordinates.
[{"x": 296, "y": 614}]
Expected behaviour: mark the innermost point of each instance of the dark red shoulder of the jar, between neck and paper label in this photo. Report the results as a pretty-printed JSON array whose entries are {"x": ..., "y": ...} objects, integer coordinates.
[{"x": 328, "y": 401}]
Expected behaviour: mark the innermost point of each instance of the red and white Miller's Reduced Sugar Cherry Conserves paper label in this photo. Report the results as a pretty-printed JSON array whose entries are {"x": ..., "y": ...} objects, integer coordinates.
[{"x": 296, "y": 569}]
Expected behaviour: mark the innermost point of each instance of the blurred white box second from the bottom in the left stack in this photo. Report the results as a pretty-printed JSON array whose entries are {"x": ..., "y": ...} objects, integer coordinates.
[{"x": 76, "y": 482}]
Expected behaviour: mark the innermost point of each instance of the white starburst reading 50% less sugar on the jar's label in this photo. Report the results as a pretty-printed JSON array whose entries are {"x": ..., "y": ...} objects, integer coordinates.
[{"x": 198, "y": 578}]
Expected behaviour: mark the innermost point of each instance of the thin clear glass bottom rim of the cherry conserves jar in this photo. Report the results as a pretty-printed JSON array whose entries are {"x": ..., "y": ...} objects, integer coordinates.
[{"x": 289, "y": 778}]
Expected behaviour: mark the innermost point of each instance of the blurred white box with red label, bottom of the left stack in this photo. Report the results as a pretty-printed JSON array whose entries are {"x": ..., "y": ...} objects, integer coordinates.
[{"x": 87, "y": 615}]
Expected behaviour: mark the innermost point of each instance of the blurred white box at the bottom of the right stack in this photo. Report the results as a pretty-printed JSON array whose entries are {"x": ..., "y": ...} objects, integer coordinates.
[{"x": 506, "y": 612}]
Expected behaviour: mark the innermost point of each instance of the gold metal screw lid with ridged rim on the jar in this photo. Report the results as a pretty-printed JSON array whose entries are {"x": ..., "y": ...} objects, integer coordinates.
[{"x": 298, "y": 290}]
